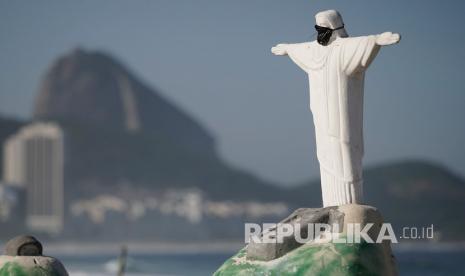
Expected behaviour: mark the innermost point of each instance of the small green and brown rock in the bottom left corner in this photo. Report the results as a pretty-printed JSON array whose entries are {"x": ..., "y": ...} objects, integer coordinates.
[{"x": 23, "y": 256}]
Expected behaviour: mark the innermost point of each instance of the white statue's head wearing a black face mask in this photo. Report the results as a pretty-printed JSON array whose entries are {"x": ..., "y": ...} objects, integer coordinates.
[{"x": 329, "y": 25}]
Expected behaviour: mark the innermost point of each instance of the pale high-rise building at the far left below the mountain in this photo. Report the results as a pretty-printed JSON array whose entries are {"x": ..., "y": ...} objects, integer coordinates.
[{"x": 33, "y": 158}]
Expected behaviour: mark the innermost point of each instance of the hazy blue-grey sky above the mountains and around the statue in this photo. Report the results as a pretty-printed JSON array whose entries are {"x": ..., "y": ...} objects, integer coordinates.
[{"x": 213, "y": 59}]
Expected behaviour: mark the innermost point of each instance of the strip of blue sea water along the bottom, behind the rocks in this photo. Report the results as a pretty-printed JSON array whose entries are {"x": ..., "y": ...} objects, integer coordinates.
[{"x": 410, "y": 262}]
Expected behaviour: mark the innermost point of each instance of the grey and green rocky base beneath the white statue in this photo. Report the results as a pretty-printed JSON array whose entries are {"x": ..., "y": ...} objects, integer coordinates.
[{"x": 318, "y": 257}]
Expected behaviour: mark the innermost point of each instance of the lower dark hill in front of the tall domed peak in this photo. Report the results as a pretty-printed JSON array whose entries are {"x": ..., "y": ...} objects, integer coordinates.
[{"x": 99, "y": 160}]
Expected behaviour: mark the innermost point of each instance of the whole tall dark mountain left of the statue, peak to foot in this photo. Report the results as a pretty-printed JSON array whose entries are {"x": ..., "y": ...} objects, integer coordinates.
[{"x": 123, "y": 135}]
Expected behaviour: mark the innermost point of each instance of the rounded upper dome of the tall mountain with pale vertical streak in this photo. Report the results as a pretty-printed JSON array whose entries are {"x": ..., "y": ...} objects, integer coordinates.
[{"x": 91, "y": 87}]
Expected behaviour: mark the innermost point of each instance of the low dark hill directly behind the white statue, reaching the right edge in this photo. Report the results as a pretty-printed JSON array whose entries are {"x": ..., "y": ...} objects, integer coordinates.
[{"x": 409, "y": 193}]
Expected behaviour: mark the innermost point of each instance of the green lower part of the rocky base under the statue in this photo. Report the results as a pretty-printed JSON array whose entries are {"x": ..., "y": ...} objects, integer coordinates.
[{"x": 315, "y": 259}]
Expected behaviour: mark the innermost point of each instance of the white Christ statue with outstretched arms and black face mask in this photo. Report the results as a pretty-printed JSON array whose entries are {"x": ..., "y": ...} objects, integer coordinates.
[{"x": 336, "y": 65}]
